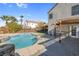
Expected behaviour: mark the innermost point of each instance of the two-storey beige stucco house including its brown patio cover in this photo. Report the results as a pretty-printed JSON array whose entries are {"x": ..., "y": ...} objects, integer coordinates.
[{"x": 64, "y": 18}]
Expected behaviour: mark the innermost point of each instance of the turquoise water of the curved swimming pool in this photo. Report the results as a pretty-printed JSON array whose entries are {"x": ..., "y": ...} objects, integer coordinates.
[{"x": 22, "y": 40}]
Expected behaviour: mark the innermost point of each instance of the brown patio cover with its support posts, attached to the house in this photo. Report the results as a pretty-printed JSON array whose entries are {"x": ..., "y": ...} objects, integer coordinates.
[{"x": 67, "y": 21}]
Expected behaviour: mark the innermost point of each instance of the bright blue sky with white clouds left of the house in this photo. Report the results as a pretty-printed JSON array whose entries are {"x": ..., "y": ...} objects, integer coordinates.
[{"x": 31, "y": 11}]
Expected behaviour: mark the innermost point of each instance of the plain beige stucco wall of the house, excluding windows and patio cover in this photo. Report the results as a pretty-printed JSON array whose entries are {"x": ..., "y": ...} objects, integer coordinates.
[{"x": 62, "y": 10}]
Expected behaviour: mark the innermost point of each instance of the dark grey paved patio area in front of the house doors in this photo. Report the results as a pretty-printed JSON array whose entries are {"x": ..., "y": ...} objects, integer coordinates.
[{"x": 67, "y": 47}]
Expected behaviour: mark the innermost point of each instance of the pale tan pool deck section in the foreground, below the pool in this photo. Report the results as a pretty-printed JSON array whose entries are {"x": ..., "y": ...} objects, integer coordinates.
[{"x": 33, "y": 50}]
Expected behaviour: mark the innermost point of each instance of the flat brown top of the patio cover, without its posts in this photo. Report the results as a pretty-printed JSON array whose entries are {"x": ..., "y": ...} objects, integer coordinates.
[{"x": 67, "y": 21}]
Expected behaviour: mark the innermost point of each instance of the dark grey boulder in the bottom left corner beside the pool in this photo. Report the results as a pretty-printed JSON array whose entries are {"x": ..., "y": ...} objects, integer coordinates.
[{"x": 7, "y": 49}]
